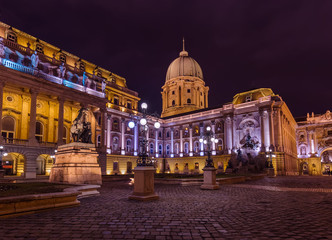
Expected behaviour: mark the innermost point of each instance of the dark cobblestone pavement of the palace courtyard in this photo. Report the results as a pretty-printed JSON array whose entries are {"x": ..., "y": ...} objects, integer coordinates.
[{"x": 240, "y": 211}]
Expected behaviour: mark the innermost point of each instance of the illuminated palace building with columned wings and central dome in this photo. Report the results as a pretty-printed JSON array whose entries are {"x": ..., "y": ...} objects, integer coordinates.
[{"x": 42, "y": 88}]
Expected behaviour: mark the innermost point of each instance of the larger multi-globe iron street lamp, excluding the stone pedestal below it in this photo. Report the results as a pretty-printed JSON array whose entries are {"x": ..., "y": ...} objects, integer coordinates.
[{"x": 143, "y": 157}]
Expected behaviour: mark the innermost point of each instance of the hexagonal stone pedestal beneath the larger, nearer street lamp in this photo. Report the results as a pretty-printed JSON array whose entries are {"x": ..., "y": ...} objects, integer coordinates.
[{"x": 144, "y": 184}]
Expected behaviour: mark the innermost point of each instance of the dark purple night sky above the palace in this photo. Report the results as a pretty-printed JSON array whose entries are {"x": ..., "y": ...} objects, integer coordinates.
[{"x": 240, "y": 45}]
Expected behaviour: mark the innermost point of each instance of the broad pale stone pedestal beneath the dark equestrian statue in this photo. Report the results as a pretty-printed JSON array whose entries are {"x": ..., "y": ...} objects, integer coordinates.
[{"x": 76, "y": 163}]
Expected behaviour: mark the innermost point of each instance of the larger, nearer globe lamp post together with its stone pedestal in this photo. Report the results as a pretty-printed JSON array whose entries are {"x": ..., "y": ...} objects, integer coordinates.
[{"x": 144, "y": 172}]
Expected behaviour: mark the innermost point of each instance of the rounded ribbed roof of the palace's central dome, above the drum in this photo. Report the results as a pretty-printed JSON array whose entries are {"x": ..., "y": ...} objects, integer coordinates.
[{"x": 184, "y": 66}]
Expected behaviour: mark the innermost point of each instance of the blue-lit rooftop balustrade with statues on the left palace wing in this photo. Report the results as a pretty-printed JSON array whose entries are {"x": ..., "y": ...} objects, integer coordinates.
[{"x": 17, "y": 57}]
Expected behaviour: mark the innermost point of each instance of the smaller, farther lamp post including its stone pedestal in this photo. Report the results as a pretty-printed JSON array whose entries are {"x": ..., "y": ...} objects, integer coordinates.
[{"x": 209, "y": 169}]
